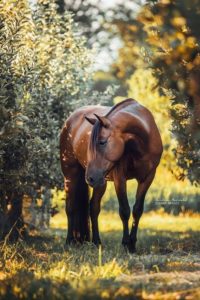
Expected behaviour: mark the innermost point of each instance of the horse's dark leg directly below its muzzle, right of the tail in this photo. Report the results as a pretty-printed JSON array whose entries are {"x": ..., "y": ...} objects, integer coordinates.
[{"x": 95, "y": 206}]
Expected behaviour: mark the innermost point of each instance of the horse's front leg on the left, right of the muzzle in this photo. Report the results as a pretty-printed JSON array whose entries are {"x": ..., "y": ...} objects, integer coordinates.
[{"x": 124, "y": 208}]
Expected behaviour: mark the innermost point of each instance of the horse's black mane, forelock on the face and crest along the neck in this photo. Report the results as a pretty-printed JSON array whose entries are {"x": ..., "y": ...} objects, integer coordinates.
[{"x": 97, "y": 126}]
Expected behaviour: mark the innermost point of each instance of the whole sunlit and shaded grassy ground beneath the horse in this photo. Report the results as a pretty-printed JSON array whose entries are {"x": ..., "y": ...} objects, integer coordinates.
[{"x": 166, "y": 266}]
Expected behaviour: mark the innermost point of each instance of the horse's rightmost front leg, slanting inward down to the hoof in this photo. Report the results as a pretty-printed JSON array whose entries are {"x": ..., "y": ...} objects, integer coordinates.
[{"x": 138, "y": 209}]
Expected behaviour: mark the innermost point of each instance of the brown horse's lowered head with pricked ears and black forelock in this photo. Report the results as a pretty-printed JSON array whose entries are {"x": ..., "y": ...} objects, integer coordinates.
[{"x": 105, "y": 148}]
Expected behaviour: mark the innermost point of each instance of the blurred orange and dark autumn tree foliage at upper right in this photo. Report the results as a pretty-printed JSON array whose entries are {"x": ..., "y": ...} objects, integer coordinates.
[{"x": 165, "y": 36}]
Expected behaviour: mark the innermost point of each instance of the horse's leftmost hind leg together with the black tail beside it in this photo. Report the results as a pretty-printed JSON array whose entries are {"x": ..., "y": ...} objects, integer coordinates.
[{"x": 77, "y": 205}]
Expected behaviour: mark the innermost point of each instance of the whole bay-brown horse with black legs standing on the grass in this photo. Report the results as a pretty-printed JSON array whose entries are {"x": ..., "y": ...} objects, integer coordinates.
[{"x": 120, "y": 143}]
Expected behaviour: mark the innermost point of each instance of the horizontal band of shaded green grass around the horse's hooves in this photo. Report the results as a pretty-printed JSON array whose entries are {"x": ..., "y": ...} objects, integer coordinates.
[{"x": 165, "y": 249}]
